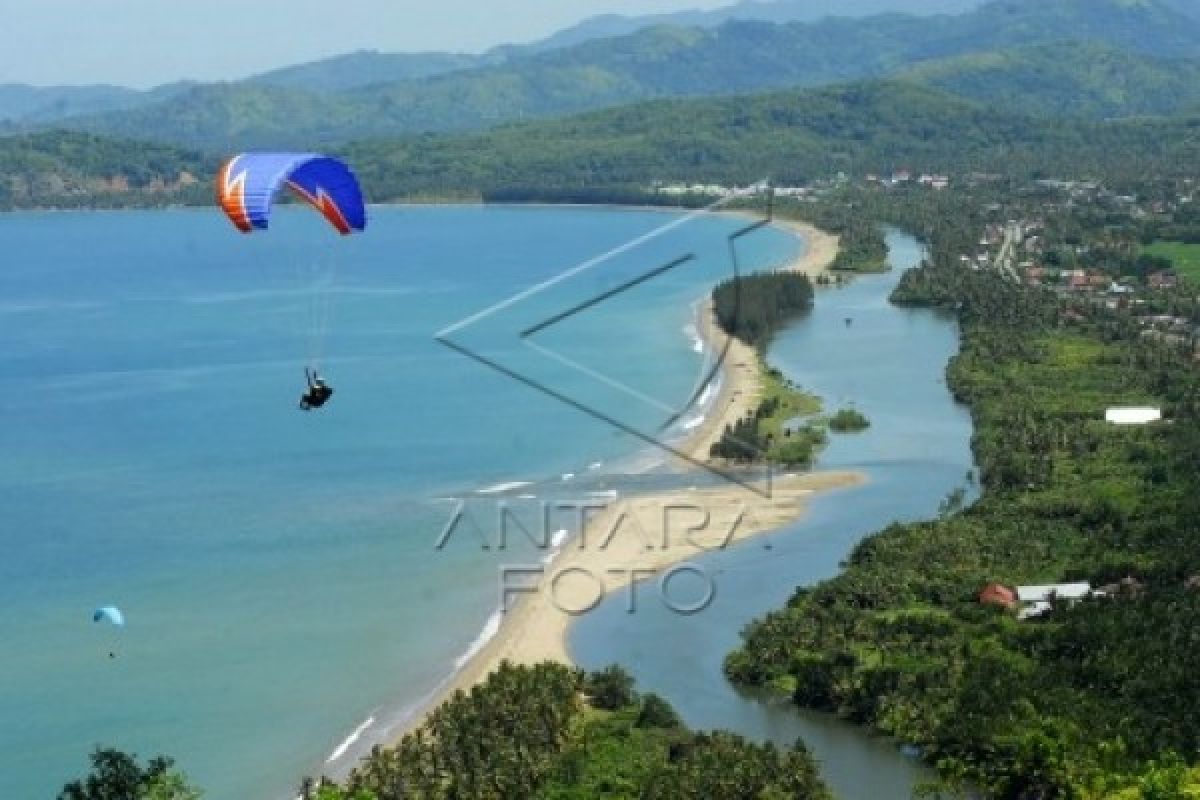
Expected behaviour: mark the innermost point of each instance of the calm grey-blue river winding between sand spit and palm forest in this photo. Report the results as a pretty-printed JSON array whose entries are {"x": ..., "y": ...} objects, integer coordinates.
[{"x": 889, "y": 364}]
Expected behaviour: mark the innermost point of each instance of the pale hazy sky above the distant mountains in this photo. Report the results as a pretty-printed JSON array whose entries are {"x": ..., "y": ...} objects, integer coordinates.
[{"x": 147, "y": 43}]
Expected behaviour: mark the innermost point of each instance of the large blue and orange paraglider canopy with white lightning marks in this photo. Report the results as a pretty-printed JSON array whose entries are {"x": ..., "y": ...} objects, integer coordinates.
[{"x": 249, "y": 183}]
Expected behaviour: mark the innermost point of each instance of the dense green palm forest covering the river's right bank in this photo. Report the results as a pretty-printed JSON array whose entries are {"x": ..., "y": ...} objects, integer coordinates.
[{"x": 1094, "y": 700}]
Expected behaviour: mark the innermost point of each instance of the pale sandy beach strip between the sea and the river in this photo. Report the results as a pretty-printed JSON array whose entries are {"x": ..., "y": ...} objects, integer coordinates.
[{"x": 631, "y": 540}]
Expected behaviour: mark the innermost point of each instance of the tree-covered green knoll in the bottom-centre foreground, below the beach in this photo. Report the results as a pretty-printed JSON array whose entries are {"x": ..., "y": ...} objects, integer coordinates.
[{"x": 553, "y": 733}]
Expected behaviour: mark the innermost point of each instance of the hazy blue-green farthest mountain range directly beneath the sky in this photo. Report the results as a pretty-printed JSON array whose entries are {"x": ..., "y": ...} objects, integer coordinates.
[{"x": 664, "y": 62}]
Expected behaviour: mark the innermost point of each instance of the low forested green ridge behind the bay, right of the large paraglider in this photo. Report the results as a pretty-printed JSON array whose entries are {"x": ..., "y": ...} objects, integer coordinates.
[{"x": 793, "y": 136}]
